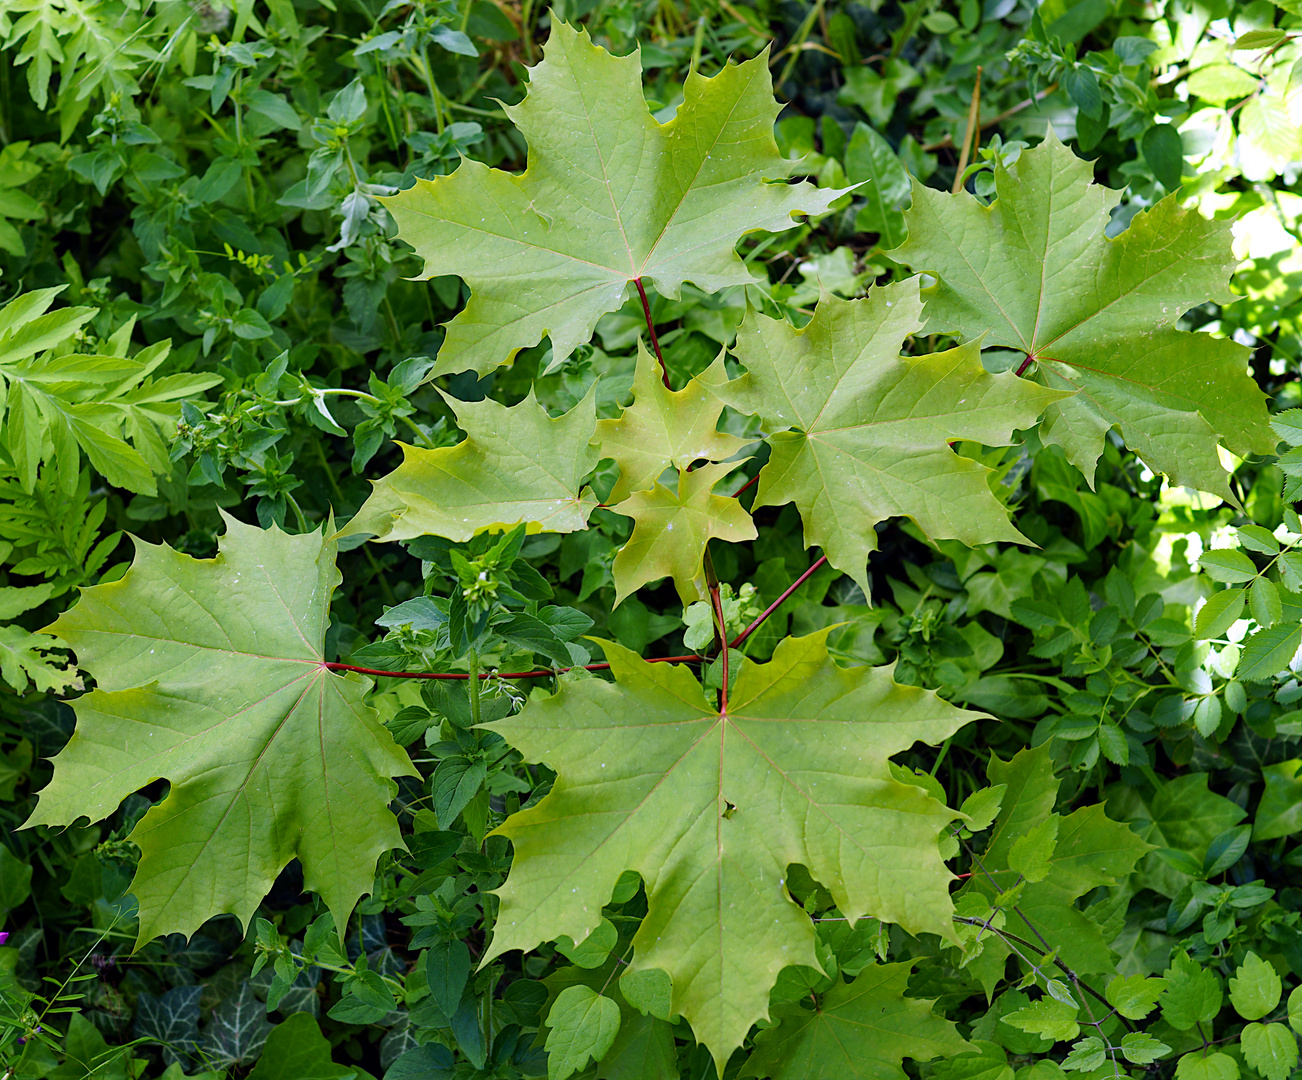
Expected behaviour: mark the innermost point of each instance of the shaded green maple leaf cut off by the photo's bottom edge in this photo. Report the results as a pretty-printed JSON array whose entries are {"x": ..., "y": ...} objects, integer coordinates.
[{"x": 861, "y": 1031}]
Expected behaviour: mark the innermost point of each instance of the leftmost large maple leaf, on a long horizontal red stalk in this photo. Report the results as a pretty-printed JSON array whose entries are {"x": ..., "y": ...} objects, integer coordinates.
[{"x": 212, "y": 675}]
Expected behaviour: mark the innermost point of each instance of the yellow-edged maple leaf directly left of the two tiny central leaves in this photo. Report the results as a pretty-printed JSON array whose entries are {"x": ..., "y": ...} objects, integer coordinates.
[{"x": 516, "y": 466}]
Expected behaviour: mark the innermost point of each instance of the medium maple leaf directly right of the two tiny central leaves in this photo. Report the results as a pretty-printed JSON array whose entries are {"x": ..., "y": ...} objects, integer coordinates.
[{"x": 861, "y": 433}]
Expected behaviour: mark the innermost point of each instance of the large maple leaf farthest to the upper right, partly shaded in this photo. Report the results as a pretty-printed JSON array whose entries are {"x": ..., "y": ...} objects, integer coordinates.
[{"x": 1036, "y": 272}]
